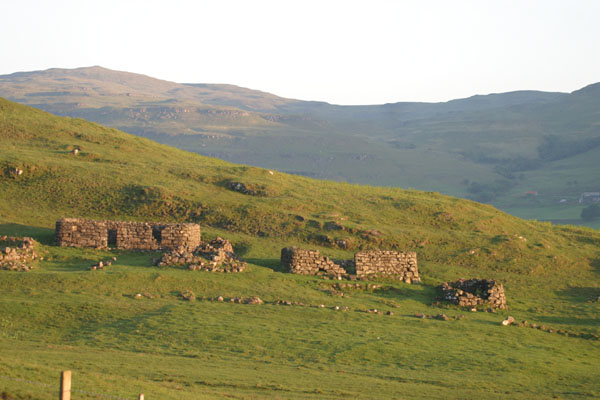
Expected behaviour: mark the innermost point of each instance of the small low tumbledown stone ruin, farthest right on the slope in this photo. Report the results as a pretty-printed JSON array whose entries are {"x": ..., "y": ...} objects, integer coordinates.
[{"x": 474, "y": 292}]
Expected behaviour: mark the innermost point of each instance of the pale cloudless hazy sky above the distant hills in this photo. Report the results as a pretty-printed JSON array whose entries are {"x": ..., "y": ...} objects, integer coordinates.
[{"x": 344, "y": 52}]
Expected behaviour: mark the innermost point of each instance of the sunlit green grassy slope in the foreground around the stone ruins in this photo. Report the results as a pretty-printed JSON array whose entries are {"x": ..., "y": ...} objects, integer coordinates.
[{"x": 61, "y": 316}]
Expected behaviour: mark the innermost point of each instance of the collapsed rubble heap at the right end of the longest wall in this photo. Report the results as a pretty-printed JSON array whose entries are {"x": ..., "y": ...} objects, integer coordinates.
[{"x": 216, "y": 256}]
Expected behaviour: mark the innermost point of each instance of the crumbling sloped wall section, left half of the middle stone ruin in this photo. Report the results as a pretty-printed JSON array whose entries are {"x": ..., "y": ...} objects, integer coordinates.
[{"x": 309, "y": 262}]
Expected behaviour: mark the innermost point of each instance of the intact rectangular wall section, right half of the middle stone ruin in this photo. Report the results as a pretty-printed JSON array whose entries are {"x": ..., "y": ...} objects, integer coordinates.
[{"x": 386, "y": 263}]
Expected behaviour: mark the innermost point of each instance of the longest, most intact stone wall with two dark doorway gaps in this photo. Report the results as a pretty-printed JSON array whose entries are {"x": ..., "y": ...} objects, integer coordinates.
[{"x": 126, "y": 235}]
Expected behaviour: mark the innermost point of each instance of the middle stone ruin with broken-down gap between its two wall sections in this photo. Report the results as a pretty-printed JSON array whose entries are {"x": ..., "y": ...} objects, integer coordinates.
[{"x": 367, "y": 263}]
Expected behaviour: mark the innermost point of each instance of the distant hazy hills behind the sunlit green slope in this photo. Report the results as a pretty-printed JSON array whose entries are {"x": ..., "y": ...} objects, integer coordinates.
[{"x": 490, "y": 148}]
